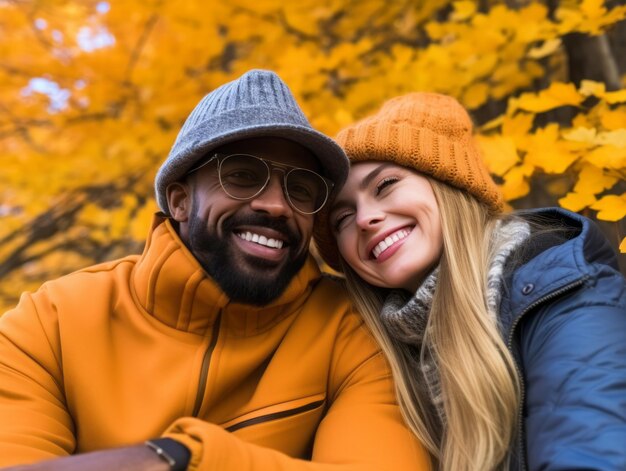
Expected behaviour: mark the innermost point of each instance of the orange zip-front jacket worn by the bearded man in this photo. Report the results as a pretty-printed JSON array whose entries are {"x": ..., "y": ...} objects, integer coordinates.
[{"x": 144, "y": 346}]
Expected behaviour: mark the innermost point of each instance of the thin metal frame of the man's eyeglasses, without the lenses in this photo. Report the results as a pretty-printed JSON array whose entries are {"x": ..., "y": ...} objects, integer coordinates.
[{"x": 271, "y": 166}]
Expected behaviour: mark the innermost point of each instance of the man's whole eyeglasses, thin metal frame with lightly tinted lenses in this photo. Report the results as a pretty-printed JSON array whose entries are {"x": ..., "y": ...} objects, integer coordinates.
[{"x": 244, "y": 176}]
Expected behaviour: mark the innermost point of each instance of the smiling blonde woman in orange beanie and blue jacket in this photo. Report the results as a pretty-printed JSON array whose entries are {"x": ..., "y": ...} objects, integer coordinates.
[{"x": 506, "y": 334}]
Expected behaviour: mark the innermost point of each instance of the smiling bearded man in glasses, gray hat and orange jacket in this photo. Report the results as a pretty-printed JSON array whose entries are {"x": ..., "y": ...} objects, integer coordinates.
[{"x": 221, "y": 346}]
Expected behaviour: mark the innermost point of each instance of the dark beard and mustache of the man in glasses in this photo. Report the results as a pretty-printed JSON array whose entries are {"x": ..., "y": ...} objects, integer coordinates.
[{"x": 217, "y": 257}]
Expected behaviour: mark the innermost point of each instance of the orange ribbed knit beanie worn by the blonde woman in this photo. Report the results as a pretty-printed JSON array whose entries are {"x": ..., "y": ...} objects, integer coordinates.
[{"x": 427, "y": 132}]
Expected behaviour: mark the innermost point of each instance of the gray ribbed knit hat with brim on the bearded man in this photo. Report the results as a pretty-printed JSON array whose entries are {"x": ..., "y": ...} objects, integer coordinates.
[{"x": 256, "y": 104}]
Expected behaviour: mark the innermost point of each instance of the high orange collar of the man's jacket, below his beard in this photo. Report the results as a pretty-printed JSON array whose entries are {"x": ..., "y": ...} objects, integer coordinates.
[{"x": 172, "y": 287}]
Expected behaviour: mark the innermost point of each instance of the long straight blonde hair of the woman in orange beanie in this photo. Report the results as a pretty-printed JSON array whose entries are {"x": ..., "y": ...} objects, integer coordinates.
[{"x": 479, "y": 379}]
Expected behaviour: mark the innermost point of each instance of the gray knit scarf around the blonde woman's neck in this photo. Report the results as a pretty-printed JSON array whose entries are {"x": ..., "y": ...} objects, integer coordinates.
[{"x": 406, "y": 316}]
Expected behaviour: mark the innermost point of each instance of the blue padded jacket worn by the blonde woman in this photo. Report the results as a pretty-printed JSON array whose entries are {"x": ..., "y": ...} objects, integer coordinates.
[{"x": 564, "y": 319}]
